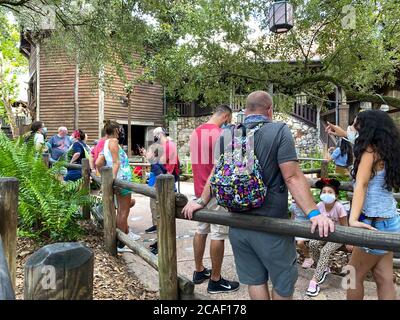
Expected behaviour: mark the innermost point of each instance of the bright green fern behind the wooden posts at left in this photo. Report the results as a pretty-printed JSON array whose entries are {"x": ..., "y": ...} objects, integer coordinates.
[{"x": 48, "y": 207}]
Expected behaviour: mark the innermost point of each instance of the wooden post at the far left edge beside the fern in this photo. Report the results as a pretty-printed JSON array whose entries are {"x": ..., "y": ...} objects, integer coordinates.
[{"x": 8, "y": 222}]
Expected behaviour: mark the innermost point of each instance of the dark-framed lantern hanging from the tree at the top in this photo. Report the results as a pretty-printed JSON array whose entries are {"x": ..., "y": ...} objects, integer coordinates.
[{"x": 280, "y": 17}]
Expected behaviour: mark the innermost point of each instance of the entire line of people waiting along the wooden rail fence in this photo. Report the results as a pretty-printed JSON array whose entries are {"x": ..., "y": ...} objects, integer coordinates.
[{"x": 369, "y": 152}]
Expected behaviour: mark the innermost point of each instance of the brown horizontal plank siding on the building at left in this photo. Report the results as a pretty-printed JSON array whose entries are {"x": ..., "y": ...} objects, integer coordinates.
[{"x": 57, "y": 76}]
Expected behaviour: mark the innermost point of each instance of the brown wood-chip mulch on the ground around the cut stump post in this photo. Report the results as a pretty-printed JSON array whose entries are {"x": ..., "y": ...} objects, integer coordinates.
[{"x": 111, "y": 278}]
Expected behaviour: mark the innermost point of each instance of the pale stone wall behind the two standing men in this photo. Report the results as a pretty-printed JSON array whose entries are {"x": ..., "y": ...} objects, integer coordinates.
[{"x": 305, "y": 136}]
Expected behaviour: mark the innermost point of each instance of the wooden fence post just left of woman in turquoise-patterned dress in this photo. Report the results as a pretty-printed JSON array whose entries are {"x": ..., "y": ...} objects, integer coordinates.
[{"x": 110, "y": 219}]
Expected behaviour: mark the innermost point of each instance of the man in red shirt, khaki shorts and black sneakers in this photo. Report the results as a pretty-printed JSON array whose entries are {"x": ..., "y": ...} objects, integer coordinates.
[{"x": 202, "y": 146}]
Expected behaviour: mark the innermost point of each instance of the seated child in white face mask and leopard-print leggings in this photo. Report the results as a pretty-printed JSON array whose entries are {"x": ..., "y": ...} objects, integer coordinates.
[{"x": 330, "y": 207}]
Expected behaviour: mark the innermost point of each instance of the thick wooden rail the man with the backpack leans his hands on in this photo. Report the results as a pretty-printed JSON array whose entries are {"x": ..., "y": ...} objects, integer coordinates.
[{"x": 346, "y": 235}]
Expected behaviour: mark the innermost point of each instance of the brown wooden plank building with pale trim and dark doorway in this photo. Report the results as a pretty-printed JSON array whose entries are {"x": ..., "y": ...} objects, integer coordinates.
[{"x": 62, "y": 95}]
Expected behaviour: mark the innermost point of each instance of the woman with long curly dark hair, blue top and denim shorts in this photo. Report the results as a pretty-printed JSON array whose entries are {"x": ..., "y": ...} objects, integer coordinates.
[{"x": 377, "y": 173}]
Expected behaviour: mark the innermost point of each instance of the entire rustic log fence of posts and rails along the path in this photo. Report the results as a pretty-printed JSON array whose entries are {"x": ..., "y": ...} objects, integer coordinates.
[{"x": 170, "y": 205}]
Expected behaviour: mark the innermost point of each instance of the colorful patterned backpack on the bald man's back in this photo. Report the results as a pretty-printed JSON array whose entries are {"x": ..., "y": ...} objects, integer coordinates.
[{"x": 237, "y": 182}]
